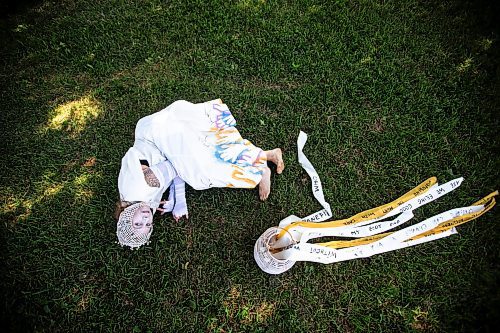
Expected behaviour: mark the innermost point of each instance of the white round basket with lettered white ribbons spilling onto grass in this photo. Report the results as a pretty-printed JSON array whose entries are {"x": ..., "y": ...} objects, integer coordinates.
[{"x": 275, "y": 255}]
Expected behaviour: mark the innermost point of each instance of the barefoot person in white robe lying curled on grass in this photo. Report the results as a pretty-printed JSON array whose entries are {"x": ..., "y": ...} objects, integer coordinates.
[{"x": 197, "y": 144}]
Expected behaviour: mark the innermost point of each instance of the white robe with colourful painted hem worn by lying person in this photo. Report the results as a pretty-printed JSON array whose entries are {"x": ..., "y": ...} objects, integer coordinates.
[{"x": 202, "y": 144}]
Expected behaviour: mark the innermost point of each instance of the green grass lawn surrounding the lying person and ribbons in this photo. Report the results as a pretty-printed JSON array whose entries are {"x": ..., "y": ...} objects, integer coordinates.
[{"x": 390, "y": 93}]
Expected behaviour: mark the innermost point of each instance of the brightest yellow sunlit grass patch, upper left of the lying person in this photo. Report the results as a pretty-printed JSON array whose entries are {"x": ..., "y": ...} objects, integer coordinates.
[{"x": 74, "y": 116}]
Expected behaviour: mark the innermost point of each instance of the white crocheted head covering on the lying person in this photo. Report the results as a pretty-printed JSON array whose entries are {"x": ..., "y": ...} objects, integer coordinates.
[{"x": 127, "y": 234}]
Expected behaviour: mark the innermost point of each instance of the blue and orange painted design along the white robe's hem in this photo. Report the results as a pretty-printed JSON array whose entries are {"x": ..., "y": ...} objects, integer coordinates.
[{"x": 247, "y": 160}]
